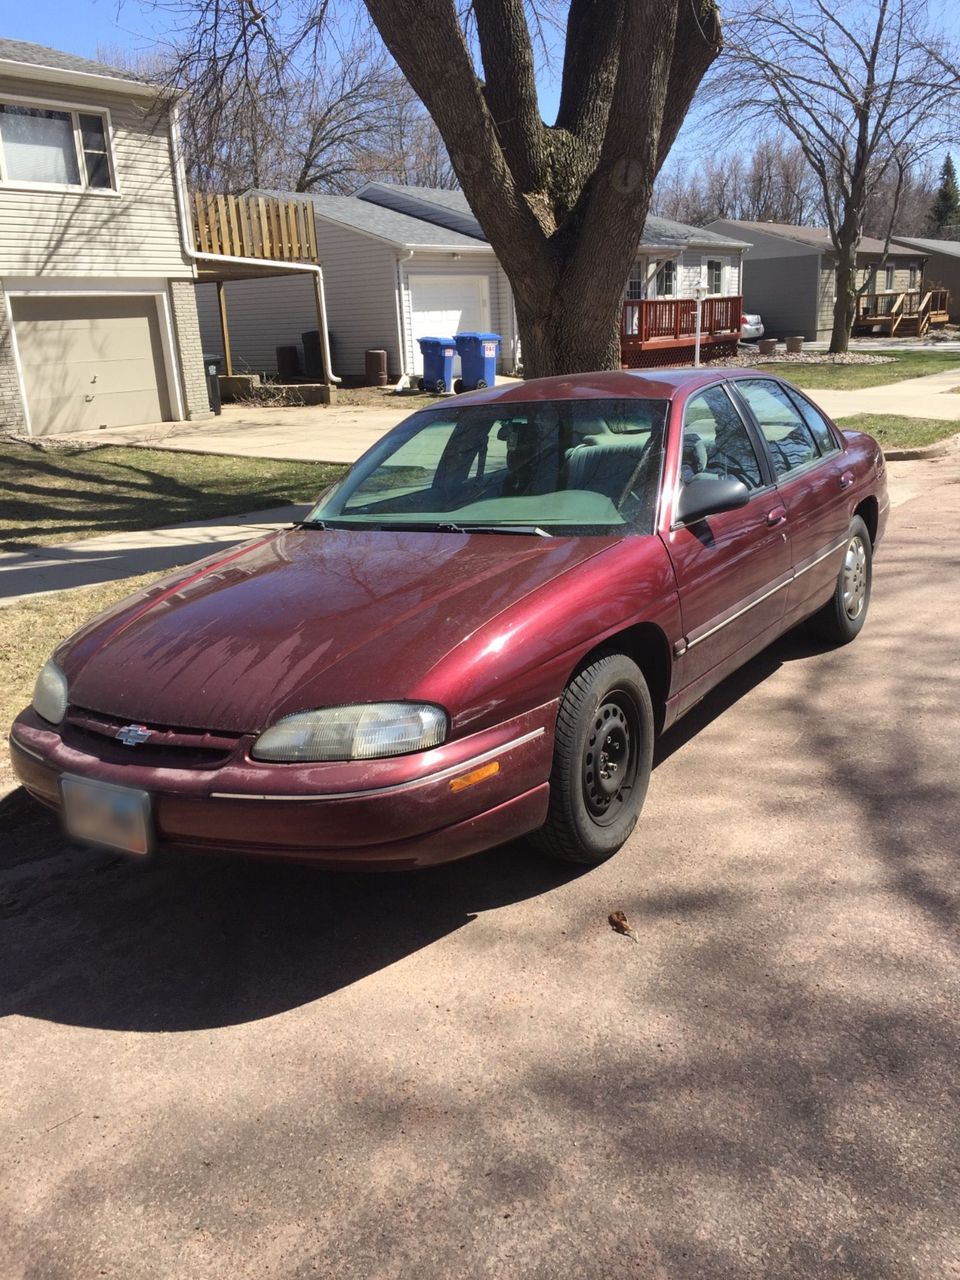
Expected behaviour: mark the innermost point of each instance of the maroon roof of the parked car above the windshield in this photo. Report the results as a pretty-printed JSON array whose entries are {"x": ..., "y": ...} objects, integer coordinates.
[{"x": 643, "y": 385}]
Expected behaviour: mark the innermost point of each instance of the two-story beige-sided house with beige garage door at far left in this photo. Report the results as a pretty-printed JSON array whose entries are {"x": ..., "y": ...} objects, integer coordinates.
[{"x": 98, "y": 313}]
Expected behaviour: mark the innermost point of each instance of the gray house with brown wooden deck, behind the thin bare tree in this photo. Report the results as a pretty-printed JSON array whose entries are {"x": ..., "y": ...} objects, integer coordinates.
[{"x": 790, "y": 277}]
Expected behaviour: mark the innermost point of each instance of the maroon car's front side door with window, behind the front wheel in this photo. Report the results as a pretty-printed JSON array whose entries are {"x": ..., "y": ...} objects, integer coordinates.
[{"x": 732, "y": 569}]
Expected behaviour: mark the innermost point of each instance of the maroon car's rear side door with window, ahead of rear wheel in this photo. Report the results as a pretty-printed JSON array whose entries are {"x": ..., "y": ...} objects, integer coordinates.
[{"x": 808, "y": 464}]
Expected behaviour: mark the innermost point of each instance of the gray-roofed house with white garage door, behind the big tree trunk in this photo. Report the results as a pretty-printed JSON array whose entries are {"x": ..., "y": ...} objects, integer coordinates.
[{"x": 404, "y": 263}]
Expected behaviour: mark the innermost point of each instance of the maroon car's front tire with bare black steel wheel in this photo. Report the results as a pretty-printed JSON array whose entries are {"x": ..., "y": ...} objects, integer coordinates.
[{"x": 606, "y": 715}]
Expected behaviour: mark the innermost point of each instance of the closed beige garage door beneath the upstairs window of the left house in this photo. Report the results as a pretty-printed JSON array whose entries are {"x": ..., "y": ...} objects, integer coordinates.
[{"x": 90, "y": 363}]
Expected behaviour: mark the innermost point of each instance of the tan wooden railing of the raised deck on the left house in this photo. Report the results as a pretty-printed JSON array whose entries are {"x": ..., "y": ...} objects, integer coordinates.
[{"x": 260, "y": 227}]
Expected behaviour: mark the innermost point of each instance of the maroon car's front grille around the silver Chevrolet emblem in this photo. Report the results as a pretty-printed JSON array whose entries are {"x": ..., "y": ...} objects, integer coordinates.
[{"x": 170, "y": 748}]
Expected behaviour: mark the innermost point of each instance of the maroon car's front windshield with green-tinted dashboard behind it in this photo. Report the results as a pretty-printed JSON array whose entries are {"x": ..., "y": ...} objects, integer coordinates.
[{"x": 579, "y": 467}]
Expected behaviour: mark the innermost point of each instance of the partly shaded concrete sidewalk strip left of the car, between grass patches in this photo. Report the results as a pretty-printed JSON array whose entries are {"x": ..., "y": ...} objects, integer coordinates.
[{"x": 116, "y": 556}]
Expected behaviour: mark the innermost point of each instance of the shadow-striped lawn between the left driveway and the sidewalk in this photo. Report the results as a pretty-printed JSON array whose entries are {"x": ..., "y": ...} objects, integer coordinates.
[{"x": 57, "y": 496}]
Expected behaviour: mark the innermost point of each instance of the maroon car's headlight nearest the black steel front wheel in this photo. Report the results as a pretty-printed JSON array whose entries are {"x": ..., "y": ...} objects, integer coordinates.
[{"x": 364, "y": 733}]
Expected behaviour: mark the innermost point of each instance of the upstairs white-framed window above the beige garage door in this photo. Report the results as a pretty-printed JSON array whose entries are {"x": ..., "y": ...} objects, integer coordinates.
[{"x": 54, "y": 148}]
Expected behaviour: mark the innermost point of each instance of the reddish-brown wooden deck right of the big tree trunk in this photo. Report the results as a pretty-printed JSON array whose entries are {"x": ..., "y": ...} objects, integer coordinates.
[{"x": 662, "y": 331}]
